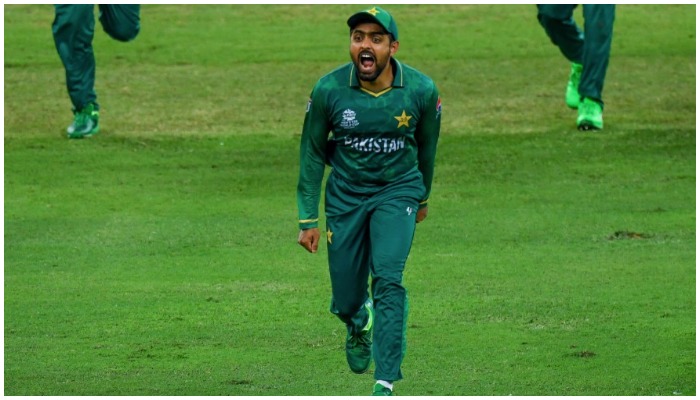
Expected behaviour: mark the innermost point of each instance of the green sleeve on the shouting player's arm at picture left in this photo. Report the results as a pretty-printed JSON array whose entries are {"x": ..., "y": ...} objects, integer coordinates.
[{"x": 314, "y": 138}]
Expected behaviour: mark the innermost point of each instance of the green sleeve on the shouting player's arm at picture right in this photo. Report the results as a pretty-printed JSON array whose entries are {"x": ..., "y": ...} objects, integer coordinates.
[{"x": 427, "y": 134}]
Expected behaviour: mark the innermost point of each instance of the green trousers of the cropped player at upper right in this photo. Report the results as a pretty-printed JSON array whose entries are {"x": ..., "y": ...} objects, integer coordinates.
[{"x": 591, "y": 48}]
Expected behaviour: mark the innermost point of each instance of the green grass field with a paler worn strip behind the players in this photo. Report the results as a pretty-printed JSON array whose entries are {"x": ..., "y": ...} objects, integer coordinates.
[{"x": 160, "y": 257}]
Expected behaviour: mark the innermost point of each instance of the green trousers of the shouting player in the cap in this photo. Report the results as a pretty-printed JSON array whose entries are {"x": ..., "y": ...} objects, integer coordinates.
[{"x": 370, "y": 232}]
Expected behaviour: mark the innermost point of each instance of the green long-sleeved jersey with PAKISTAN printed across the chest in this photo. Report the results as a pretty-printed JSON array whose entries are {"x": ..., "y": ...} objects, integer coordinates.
[{"x": 369, "y": 139}]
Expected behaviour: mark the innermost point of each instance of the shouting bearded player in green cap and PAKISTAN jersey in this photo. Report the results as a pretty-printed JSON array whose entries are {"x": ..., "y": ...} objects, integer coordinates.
[{"x": 376, "y": 122}]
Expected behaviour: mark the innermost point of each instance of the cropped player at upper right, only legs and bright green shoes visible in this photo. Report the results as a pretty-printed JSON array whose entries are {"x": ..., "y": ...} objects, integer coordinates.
[{"x": 588, "y": 52}]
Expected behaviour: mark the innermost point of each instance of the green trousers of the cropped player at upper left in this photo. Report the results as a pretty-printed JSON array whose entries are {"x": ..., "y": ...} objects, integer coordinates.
[{"x": 73, "y": 29}]
